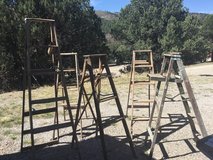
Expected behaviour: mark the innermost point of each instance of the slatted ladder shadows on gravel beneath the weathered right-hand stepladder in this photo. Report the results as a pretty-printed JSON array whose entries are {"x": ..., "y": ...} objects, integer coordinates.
[{"x": 177, "y": 122}]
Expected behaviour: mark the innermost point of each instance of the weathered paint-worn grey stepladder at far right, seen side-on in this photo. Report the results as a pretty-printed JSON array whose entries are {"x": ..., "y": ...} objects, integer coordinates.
[{"x": 172, "y": 70}]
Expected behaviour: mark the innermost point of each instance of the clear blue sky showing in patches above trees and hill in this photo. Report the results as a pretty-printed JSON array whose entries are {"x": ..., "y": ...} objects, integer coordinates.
[{"x": 200, "y": 6}]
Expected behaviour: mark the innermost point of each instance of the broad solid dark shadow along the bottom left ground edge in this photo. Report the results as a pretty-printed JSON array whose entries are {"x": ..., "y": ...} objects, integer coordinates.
[{"x": 90, "y": 149}]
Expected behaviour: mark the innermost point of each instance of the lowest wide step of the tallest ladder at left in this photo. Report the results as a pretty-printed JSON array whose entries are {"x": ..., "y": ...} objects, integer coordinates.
[{"x": 47, "y": 128}]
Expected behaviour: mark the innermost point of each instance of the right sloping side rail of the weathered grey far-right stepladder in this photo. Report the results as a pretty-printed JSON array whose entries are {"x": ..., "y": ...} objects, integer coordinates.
[{"x": 192, "y": 98}]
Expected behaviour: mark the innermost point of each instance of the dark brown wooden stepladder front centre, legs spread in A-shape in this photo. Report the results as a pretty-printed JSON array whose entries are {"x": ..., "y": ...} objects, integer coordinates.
[{"x": 95, "y": 80}]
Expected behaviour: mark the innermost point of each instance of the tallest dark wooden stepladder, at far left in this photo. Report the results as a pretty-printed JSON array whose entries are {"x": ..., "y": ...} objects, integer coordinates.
[{"x": 44, "y": 105}]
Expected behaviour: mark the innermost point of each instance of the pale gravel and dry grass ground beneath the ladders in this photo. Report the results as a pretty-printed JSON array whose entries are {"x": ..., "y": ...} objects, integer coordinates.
[{"x": 174, "y": 142}]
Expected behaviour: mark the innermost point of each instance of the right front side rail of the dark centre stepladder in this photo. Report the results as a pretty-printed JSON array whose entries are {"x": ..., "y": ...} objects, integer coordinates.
[{"x": 119, "y": 108}]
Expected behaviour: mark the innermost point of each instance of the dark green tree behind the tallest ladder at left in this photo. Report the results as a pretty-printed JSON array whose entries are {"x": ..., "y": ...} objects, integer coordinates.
[{"x": 78, "y": 28}]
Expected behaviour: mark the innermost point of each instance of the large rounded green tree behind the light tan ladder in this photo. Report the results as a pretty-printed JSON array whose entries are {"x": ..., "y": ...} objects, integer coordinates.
[{"x": 143, "y": 24}]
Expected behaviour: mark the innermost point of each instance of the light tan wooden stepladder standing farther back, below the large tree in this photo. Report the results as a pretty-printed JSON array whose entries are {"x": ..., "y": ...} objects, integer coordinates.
[{"x": 143, "y": 61}]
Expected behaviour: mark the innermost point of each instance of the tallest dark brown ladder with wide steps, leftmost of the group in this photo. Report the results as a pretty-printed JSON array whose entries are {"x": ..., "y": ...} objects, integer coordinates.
[{"x": 34, "y": 104}]
